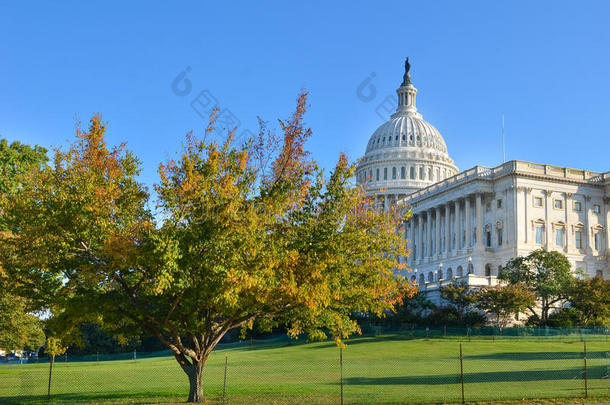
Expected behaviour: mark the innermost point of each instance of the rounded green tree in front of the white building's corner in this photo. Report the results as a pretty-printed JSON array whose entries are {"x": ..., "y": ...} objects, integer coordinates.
[{"x": 546, "y": 273}]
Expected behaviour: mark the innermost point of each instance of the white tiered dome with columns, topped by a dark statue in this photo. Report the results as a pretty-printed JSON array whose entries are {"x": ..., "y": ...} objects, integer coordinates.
[{"x": 405, "y": 153}]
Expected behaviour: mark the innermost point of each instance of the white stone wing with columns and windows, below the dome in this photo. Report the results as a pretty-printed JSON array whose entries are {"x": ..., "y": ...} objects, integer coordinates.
[{"x": 471, "y": 224}]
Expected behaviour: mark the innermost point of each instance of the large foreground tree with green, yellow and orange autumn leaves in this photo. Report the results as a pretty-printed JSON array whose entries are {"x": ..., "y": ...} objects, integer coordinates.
[{"x": 243, "y": 233}]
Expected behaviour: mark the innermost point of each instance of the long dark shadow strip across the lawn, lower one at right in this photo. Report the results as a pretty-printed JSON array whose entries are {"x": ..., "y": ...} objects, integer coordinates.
[{"x": 482, "y": 377}]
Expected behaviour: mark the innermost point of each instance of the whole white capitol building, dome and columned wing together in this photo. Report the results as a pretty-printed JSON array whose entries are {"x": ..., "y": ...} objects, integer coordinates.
[{"x": 466, "y": 225}]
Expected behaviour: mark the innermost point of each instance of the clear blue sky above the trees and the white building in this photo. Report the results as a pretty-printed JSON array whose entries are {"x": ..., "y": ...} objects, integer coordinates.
[{"x": 545, "y": 65}]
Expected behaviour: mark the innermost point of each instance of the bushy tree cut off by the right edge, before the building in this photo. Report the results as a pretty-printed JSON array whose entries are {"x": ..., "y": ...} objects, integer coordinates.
[{"x": 590, "y": 298}]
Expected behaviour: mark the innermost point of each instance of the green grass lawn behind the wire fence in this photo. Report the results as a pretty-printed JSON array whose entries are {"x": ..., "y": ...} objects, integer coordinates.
[{"x": 384, "y": 369}]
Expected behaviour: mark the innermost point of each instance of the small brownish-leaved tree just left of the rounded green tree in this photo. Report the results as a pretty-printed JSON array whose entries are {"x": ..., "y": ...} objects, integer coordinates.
[{"x": 504, "y": 301}]
